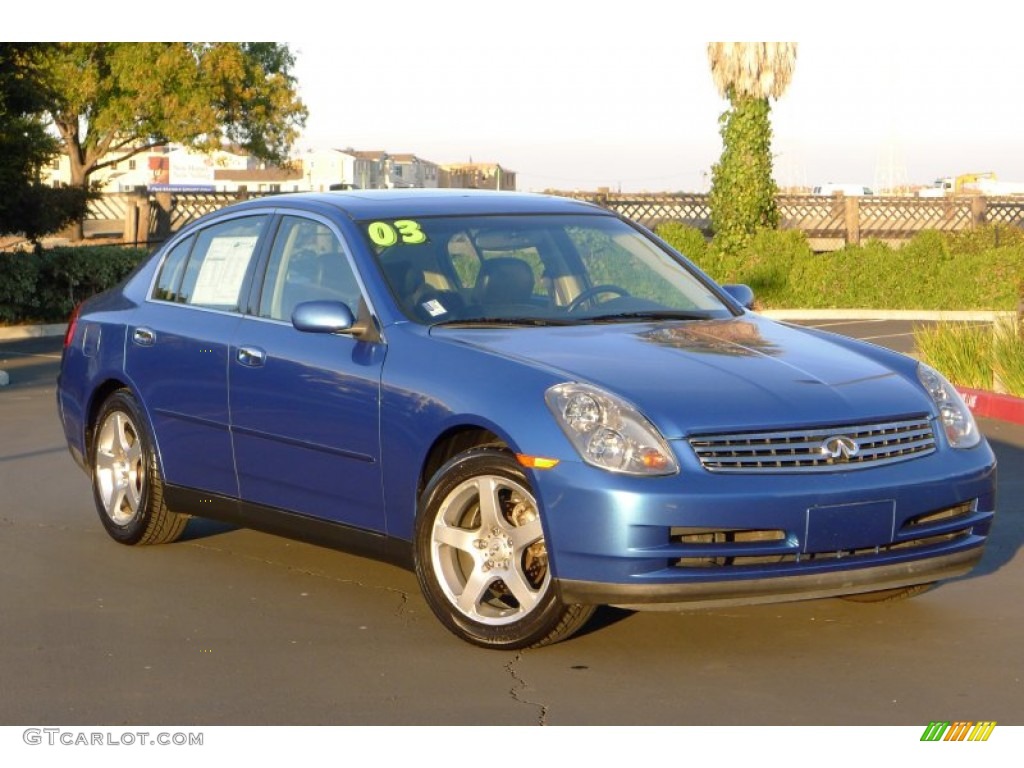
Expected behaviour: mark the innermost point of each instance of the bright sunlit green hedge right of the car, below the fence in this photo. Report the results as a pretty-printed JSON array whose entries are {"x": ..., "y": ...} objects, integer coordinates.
[{"x": 976, "y": 270}]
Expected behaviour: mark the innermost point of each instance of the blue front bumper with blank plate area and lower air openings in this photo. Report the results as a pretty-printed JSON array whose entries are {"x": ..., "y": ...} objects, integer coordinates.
[{"x": 701, "y": 538}]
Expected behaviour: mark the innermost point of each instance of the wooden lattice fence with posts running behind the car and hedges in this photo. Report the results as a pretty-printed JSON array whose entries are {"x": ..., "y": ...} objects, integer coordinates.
[{"x": 829, "y": 223}]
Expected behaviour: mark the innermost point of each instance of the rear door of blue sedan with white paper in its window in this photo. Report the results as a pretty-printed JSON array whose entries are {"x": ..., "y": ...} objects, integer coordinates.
[{"x": 177, "y": 353}]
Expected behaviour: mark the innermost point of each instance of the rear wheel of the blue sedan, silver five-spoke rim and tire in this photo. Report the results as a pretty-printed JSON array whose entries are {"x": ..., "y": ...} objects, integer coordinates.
[{"x": 126, "y": 483}]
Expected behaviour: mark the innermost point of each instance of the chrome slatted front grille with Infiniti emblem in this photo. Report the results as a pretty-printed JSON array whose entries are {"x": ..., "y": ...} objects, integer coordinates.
[{"x": 822, "y": 450}]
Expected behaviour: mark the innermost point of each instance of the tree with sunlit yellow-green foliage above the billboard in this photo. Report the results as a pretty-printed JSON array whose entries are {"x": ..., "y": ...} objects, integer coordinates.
[{"x": 110, "y": 102}]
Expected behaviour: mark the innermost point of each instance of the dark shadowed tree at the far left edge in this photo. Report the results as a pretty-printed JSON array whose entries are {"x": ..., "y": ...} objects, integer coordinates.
[{"x": 28, "y": 207}]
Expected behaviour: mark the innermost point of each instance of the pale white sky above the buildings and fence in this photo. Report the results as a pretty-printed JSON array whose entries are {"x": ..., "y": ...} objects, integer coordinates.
[{"x": 576, "y": 95}]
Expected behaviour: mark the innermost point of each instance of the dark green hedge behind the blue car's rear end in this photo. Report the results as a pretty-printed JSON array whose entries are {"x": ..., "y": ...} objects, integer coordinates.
[{"x": 46, "y": 286}]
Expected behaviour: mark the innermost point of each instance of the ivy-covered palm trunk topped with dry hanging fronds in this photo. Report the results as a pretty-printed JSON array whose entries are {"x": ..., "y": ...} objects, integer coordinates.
[{"x": 743, "y": 191}]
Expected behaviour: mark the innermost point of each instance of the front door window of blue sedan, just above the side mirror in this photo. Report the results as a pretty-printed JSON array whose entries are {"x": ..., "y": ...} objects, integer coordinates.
[{"x": 308, "y": 264}]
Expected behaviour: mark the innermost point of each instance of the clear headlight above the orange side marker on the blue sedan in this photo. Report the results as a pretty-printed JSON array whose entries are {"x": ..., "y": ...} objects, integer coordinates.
[{"x": 609, "y": 433}]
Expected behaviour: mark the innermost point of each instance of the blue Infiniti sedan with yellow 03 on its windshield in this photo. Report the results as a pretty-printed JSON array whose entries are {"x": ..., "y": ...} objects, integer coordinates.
[{"x": 535, "y": 404}]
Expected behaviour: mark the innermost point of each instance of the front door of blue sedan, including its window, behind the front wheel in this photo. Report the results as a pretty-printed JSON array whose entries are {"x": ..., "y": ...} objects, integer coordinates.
[{"x": 306, "y": 406}]
